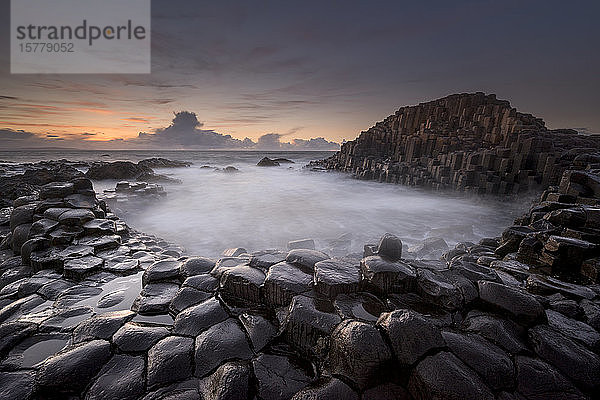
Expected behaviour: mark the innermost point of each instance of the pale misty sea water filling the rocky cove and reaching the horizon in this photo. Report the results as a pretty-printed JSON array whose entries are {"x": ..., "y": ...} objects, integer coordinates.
[{"x": 262, "y": 208}]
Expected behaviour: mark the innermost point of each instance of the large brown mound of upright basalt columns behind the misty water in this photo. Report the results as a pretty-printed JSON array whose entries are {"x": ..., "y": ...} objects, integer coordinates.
[{"x": 467, "y": 142}]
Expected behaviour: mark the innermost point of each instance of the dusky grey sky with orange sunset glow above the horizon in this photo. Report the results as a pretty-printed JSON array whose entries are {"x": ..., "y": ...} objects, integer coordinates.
[{"x": 282, "y": 73}]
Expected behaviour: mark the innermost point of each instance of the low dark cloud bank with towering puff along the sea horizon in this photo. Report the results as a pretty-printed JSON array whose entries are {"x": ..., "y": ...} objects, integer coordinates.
[{"x": 184, "y": 132}]
